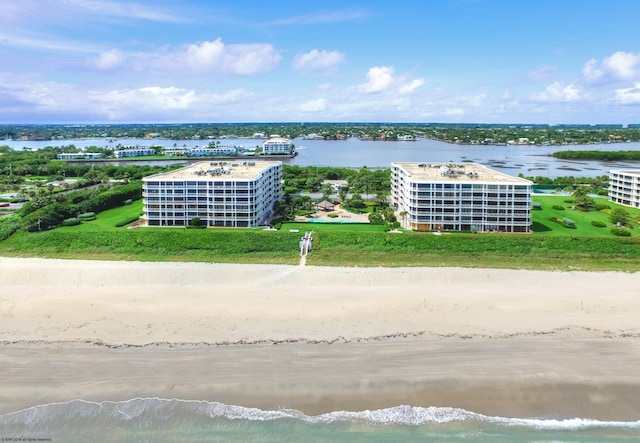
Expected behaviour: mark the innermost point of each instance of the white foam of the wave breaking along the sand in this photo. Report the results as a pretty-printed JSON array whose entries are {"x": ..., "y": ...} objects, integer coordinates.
[{"x": 147, "y": 411}]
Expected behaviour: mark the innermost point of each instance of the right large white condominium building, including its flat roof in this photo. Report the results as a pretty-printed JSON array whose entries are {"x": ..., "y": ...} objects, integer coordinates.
[{"x": 459, "y": 197}]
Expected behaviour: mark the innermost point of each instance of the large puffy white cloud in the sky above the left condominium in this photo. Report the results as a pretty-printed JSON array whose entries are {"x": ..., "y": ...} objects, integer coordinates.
[{"x": 215, "y": 56}]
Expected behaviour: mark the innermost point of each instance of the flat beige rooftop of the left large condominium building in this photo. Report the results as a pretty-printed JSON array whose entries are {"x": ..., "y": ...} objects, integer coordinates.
[{"x": 220, "y": 170}]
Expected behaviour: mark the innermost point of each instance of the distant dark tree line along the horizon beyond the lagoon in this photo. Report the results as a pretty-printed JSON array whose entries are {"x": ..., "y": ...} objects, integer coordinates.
[{"x": 451, "y": 133}]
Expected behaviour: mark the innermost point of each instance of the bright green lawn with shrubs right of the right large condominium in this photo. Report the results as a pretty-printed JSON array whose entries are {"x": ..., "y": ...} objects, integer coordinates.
[{"x": 543, "y": 225}]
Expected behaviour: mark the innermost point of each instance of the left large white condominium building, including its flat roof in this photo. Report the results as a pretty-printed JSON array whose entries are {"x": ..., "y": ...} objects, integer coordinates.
[{"x": 234, "y": 194}]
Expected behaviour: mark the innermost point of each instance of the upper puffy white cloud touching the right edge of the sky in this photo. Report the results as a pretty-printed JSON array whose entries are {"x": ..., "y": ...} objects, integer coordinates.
[{"x": 619, "y": 66}]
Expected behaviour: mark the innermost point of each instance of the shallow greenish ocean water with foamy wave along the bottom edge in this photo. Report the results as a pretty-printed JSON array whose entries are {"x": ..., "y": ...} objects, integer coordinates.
[{"x": 173, "y": 420}]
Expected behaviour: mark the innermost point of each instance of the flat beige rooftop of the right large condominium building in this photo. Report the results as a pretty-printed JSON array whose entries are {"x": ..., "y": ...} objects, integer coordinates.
[{"x": 456, "y": 172}]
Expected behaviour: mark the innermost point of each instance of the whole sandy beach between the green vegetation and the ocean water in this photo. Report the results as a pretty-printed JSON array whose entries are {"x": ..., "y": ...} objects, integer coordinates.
[{"x": 499, "y": 342}]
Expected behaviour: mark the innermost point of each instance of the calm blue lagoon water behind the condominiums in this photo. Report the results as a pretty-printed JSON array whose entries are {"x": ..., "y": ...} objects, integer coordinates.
[{"x": 356, "y": 153}]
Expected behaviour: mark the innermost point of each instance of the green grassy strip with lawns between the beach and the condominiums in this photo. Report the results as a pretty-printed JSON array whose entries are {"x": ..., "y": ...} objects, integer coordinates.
[{"x": 552, "y": 246}]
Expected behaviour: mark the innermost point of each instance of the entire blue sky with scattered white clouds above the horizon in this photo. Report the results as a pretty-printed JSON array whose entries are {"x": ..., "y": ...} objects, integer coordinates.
[{"x": 467, "y": 61}]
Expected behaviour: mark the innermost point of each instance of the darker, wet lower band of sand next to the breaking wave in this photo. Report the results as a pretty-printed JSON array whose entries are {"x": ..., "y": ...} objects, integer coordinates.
[{"x": 515, "y": 378}]
